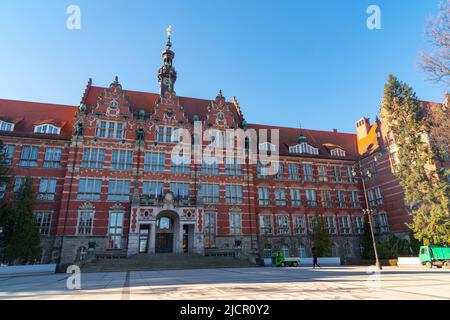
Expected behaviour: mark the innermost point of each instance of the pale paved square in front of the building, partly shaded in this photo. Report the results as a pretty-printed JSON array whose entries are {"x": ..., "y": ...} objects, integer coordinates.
[{"x": 238, "y": 283}]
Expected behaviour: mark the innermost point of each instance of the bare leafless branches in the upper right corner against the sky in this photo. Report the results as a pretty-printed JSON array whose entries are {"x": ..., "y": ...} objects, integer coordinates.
[{"x": 436, "y": 62}]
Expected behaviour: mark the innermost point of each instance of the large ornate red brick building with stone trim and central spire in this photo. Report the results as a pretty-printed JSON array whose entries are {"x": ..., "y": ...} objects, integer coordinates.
[{"x": 105, "y": 180}]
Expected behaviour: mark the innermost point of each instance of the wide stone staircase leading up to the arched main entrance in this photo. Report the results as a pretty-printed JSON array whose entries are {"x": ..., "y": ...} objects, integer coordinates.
[{"x": 164, "y": 262}]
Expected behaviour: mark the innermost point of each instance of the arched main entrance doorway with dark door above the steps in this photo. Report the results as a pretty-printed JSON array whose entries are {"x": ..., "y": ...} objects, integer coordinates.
[{"x": 166, "y": 226}]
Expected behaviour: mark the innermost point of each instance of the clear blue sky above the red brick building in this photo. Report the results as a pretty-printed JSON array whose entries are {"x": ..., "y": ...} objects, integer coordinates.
[{"x": 287, "y": 62}]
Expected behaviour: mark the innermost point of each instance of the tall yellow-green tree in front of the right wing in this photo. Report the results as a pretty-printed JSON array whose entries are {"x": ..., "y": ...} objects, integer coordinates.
[{"x": 426, "y": 190}]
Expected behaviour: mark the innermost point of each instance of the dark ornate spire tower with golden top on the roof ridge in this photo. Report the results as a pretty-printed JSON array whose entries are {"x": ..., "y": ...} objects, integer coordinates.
[{"x": 167, "y": 74}]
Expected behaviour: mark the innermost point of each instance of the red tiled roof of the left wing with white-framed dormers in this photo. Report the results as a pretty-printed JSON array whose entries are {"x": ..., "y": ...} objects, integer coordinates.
[{"x": 28, "y": 114}]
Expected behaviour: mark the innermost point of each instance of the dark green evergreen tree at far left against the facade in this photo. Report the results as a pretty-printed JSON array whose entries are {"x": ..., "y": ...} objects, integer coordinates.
[{"x": 22, "y": 239}]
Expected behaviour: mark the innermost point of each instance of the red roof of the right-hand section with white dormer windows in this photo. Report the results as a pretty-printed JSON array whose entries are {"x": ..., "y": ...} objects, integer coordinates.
[{"x": 315, "y": 138}]
